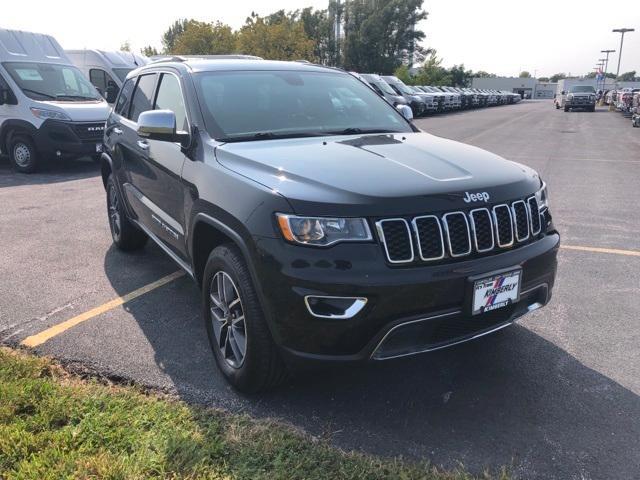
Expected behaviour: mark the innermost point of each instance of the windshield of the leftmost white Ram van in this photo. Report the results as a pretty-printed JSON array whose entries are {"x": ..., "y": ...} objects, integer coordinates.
[{"x": 47, "y": 81}]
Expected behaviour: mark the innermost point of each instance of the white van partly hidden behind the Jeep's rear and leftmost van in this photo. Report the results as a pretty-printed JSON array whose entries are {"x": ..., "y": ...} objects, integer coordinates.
[{"x": 106, "y": 70}]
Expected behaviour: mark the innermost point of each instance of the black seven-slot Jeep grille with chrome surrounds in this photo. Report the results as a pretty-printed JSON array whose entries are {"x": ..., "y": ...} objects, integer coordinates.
[{"x": 459, "y": 234}]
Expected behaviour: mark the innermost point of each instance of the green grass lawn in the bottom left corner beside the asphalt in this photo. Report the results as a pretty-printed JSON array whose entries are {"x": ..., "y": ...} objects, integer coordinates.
[{"x": 54, "y": 426}]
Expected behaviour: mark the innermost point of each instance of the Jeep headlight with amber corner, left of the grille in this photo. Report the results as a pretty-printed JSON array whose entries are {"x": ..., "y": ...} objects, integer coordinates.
[{"x": 323, "y": 231}]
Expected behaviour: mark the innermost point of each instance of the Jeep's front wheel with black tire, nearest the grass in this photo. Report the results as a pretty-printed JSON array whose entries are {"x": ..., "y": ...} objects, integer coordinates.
[{"x": 260, "y": 367}]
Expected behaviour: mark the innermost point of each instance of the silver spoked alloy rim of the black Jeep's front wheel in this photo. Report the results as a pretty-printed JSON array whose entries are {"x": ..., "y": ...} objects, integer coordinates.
[{"x": 227, "y": 319}]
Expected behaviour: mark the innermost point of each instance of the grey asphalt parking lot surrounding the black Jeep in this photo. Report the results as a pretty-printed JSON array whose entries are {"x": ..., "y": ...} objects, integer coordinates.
[{"x": 556, "y": 396}]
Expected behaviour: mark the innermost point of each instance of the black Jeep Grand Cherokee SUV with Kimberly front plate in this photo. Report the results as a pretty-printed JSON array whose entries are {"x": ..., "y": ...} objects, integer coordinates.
[{"x": 320, "y": 224}]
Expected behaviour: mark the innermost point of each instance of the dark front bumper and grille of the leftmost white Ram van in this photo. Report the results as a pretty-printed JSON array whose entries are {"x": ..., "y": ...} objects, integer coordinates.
[{"x": 69, "y": 138}]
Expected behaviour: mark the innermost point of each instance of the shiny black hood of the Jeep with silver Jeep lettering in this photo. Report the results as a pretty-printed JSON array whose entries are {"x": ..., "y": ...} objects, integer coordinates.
[{"x": 395, "y": 174}]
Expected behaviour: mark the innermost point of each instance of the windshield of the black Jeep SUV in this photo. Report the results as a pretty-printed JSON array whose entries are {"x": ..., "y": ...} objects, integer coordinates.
[{"x": 256, "y": 105}]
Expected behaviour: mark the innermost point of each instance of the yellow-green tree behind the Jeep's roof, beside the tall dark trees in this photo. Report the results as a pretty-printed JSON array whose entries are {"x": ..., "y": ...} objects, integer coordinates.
[{"x": 279, "y": 36}]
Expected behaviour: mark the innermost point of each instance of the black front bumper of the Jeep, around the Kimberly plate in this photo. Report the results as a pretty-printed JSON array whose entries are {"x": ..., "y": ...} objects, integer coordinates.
[{"x": 433, "y": 299}]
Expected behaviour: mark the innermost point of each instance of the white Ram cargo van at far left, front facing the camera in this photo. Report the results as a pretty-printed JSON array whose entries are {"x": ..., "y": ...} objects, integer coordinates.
[{"x": 47, "y": 106}]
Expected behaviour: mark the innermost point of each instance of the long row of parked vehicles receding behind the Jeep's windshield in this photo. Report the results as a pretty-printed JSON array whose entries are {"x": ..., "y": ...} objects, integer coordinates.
[{"x": 426, "y": 99}]
